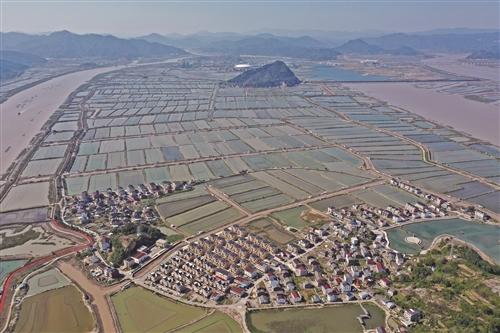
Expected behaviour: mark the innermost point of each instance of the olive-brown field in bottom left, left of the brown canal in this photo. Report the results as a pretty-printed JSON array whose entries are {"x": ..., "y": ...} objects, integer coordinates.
[{"x": 60, "y": 310}]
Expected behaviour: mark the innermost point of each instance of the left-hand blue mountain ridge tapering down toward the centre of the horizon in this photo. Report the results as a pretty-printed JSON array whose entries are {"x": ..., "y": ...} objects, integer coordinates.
[{"x": 64, "y": 44}]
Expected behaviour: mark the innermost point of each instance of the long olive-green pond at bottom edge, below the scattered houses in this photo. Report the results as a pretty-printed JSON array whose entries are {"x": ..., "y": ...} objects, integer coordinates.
[{"x": 333, "y": 319}]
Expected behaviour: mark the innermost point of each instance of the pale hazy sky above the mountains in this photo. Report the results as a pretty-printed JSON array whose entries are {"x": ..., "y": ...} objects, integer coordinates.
[{"x": 131, "y": 18}]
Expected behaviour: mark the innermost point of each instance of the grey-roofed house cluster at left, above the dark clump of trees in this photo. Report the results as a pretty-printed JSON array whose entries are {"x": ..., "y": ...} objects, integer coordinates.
[{"x": 119, "y": 207}]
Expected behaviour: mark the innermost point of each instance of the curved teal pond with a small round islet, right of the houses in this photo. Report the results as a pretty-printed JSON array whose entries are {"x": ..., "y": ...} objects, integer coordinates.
[{"x": 483, "y": 236}]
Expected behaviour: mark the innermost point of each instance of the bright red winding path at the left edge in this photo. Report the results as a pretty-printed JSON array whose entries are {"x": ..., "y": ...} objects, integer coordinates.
[{"x": 8, "y": 282}]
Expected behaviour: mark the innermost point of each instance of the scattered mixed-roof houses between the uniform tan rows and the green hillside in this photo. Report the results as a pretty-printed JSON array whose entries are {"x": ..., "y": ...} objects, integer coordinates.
[{"x": 345, "y": 268}]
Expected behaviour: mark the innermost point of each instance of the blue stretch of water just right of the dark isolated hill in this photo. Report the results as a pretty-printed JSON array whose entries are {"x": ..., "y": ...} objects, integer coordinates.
[{"x": 336, "y": 73}]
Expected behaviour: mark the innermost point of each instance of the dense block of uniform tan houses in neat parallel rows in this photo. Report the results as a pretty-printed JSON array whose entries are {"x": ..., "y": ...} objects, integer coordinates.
[{"x": 221, "y": 265}]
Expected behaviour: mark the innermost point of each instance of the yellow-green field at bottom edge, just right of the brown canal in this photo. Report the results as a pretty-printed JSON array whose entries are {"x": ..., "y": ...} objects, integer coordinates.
[{"x": 139, "y": 310}]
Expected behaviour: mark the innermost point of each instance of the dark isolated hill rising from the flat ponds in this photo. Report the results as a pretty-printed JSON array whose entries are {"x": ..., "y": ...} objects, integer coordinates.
[{"x": 271, "y": 75}]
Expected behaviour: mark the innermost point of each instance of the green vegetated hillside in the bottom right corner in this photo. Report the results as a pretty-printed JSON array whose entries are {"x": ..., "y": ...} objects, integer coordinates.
[{"x": 453, "y": 294}]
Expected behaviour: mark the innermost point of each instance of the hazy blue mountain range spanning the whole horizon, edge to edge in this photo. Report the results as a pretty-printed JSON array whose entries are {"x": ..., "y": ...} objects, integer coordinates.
[{"x": 64, "y": 44}]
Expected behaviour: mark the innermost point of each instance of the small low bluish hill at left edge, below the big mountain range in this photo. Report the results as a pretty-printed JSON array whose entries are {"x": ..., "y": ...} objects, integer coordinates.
[{"x": 13, "y": 63}]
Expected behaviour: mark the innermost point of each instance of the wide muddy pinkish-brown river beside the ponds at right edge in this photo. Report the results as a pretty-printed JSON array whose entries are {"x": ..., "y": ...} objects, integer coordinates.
[{"x": 481, "y": 120}]
